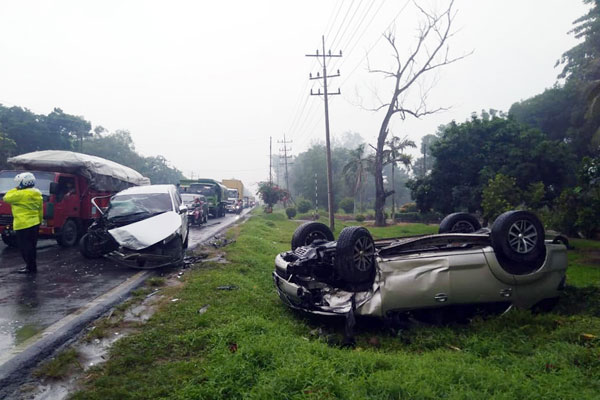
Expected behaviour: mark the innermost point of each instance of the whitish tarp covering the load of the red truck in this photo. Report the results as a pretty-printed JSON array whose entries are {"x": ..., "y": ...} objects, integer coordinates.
[{"x": 103, "y": 175}]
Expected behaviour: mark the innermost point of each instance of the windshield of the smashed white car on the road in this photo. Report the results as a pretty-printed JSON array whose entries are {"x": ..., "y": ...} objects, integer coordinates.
[{"x": 139, "y": 205}]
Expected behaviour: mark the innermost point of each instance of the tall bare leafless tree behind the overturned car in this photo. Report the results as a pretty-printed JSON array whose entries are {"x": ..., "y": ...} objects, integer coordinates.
[{"x": 431, "y": 52}]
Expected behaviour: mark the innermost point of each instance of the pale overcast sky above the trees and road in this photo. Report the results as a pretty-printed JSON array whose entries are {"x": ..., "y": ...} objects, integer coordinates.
[{"x": 206, "y": 83}]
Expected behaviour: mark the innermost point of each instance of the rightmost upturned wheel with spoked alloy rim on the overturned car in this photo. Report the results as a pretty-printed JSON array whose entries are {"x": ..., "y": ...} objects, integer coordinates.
[{"x": 518, "y": 241}]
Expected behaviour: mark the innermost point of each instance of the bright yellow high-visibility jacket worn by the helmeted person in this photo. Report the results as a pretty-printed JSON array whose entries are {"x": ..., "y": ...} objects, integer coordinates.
[{"x": 27, "y": 207}]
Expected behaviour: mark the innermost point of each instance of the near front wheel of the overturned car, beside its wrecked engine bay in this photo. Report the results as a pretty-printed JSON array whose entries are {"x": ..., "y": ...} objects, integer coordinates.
[{"x": 355, "y": 256}]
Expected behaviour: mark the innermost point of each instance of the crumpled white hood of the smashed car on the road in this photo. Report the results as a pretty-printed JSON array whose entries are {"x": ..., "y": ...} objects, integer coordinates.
[{"x": 147, "y": 232}]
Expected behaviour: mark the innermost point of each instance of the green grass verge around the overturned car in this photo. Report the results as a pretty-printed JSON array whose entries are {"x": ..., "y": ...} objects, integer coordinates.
[{"x": 249, "y": 345}]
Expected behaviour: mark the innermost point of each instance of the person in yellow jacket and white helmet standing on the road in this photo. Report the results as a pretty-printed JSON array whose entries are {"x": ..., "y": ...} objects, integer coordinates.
[{"x": 28, "y": 209}]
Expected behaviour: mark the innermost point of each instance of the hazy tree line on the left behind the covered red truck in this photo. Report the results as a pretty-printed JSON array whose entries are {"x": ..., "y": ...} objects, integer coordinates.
[{"x": 22, "y": 131}]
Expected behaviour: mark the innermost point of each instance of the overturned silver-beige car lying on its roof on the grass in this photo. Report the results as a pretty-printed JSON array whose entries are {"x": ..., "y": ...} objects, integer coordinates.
[{"x": 460, "y": 268}]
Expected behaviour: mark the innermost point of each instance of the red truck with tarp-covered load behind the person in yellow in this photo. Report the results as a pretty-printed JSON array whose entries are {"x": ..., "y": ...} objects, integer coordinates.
[{"x": 68, "y": 181}]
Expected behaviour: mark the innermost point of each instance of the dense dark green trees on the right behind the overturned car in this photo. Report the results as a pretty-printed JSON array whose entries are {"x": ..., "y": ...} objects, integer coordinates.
[{"x": 544, "y": 154}]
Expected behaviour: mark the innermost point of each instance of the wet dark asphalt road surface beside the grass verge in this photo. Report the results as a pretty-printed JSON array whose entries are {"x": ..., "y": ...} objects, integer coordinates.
[{"x": 65, "y": 282}]
